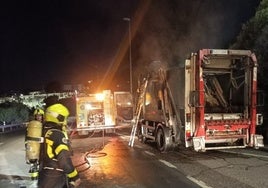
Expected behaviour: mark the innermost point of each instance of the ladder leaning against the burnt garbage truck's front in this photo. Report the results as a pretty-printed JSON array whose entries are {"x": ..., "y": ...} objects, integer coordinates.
[{"x": 136, "y": 117}]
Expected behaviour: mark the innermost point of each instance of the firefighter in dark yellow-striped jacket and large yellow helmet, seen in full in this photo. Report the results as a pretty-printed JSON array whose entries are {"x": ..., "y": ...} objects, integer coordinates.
[{"x": 56, "y": 163}]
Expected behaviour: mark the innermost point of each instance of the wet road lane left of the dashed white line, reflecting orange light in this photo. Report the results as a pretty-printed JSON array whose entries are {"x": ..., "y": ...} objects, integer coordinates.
[{"x": 102, "y": 161}]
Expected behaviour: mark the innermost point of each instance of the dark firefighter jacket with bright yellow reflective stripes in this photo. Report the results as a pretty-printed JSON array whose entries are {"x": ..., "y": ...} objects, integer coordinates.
[{"x": 56, "y": 153}]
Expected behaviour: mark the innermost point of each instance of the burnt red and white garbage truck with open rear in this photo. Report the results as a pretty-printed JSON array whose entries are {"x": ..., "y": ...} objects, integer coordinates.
[{"x": 208, "y": 103}]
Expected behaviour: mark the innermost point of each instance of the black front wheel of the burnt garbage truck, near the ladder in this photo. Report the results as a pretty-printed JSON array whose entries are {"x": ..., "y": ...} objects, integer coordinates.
[{"x": 163, "y": 142}]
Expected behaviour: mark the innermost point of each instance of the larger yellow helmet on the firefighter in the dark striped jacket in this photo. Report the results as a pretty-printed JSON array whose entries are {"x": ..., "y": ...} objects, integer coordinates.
[{"x": 57, "y": 113}]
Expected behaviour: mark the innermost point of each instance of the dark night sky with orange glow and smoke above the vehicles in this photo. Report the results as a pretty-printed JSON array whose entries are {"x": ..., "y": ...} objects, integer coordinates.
[{"x": 75, "y": 41}]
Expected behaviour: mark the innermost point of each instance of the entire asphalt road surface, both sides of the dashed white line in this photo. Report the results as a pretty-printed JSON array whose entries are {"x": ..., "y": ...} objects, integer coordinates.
[{"x": 108, "y": 161}]
